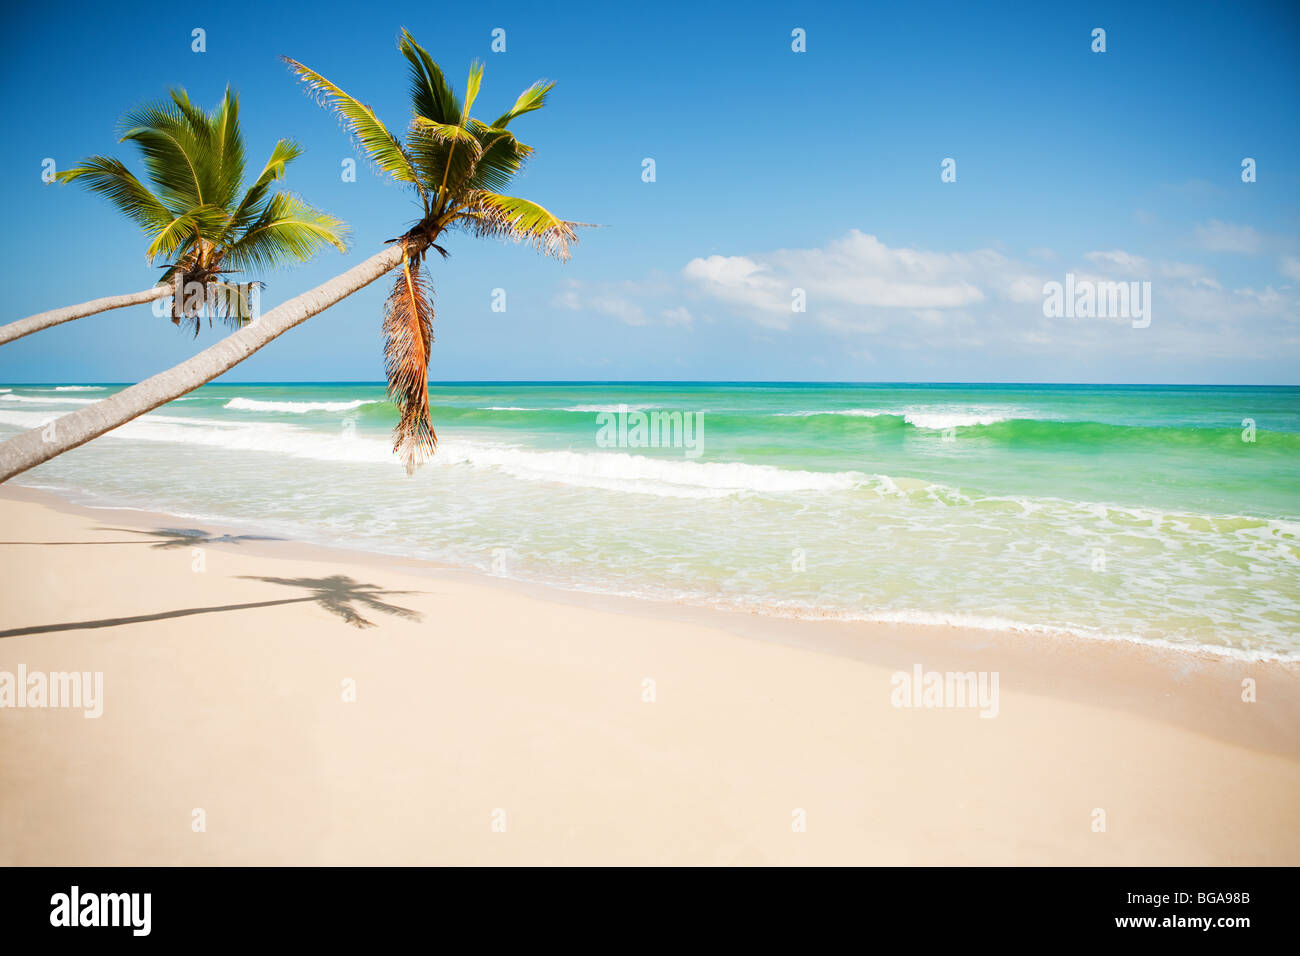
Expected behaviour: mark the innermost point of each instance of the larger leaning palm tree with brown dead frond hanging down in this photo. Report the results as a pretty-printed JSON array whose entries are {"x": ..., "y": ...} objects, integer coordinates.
[{"x": 456, "y": 166}]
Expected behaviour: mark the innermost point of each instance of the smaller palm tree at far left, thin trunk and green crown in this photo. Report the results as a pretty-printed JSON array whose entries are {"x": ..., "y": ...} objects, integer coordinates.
[{"x": 197, "y": 215}]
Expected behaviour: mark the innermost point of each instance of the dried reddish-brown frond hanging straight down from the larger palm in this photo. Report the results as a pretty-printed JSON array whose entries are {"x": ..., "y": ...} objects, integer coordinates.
[{"x": 408, "y": 336}]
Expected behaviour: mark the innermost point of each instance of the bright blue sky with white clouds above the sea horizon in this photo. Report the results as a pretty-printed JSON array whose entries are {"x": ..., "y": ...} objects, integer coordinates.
[{"x": 775, "y": 171}]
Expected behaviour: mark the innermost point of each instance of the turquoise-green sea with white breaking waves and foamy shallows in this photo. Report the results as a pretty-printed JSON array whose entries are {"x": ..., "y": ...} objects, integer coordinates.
[{"x": 1126, "y": 513}]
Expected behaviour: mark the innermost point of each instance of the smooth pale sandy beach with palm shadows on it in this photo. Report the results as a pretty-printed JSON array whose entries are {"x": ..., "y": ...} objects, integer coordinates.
[{"x": 310, "y": 706}]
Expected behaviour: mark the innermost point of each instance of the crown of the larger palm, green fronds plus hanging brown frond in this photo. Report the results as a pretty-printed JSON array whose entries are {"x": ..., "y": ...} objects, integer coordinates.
[{"x": 457, "y": 166}]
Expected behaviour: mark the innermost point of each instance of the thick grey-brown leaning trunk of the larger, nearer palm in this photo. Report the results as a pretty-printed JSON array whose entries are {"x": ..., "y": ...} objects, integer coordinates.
[{"x": 64, "y": 434}]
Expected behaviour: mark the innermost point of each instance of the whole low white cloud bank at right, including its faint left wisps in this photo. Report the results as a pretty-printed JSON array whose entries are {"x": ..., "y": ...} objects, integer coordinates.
[{"x": 916, "y": 302}]
